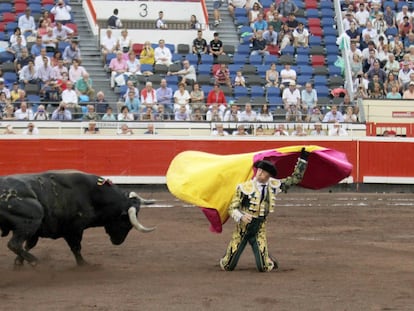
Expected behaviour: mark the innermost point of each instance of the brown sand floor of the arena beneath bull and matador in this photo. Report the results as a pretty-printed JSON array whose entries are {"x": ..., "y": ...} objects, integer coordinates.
[{"x": 337, "y": 251}]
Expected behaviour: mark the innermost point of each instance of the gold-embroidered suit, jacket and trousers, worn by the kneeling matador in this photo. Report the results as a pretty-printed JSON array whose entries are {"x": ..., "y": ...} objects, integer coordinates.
[{"x": 247, "y": 199}]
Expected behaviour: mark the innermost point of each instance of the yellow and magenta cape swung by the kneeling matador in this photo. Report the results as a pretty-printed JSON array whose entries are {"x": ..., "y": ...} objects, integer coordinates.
[{"x": 209, "y": 180}]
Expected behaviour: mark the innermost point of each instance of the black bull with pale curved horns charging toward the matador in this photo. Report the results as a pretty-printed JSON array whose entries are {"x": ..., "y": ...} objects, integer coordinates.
[{"x": 62, "y": 204}]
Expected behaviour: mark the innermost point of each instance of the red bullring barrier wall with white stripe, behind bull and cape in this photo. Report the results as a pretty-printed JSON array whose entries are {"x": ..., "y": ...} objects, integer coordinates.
[{"x": 145, "y": 160}]
